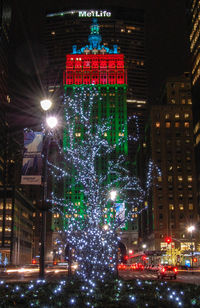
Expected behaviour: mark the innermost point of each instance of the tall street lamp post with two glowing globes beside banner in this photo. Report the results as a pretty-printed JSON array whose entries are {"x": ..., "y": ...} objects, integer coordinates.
[{"x": 51, "y": 123}]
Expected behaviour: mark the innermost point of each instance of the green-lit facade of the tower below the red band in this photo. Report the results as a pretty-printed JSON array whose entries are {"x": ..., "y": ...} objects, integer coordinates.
[{"x": 109, "y": 112}]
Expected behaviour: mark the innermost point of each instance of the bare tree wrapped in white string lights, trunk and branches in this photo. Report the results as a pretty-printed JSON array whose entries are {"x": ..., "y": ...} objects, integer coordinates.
[{"x": 92, "y": 224}]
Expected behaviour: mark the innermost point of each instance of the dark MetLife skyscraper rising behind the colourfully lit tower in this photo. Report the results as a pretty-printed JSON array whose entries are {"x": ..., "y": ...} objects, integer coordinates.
[{"x": 124, "y": 27}]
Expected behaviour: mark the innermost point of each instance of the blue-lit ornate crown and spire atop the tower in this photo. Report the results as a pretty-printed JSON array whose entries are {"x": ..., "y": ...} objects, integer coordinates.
[{"x": 94, "y": 46}]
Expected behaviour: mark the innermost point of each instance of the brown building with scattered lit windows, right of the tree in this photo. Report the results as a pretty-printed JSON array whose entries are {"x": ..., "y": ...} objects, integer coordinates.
[{"x": 172, "y": 207}]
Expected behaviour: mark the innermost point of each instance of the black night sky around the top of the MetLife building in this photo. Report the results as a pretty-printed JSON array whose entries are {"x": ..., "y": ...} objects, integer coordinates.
[{"x": 167, "y": 52}]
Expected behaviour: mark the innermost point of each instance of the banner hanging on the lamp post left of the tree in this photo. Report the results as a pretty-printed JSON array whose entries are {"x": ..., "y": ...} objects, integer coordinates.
[{"x": 32, "y": 158}]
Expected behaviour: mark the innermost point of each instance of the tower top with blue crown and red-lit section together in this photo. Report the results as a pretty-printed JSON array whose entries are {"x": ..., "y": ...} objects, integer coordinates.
[{"x": 95, "y": 63}]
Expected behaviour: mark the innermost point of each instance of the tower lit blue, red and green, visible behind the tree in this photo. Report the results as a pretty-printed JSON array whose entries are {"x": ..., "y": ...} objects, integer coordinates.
[{"x": 96, "y": 65}]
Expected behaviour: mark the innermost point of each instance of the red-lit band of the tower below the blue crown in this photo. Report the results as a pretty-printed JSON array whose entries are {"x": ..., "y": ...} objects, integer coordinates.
[{"x": 99, "y": 69}]
